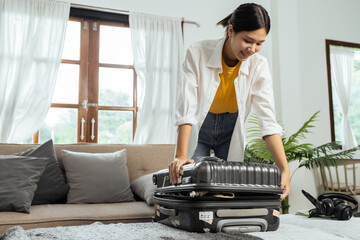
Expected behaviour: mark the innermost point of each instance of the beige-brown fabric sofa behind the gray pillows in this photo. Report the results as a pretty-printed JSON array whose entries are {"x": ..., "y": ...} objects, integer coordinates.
[{"x": 141, "y": 160}]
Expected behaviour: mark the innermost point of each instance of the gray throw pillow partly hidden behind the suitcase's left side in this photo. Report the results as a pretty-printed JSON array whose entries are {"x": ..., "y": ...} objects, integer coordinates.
[{"x": 144, "y": 188}]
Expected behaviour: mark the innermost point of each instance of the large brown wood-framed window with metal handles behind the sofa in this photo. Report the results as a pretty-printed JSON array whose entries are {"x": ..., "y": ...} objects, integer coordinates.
[{"x": 95, "y": 94}]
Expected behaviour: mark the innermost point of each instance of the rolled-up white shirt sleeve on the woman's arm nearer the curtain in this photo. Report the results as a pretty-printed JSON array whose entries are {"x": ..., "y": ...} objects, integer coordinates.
[{"x": 187, "y": 99}]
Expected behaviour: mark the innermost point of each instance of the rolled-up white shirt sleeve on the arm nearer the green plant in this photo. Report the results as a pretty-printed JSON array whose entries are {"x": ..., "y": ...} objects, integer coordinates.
[{"x": 263, "y": 100}]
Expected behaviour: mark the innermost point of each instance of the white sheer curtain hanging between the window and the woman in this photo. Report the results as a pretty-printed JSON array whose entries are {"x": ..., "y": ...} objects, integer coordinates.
[{"x": 158, "y": 55}]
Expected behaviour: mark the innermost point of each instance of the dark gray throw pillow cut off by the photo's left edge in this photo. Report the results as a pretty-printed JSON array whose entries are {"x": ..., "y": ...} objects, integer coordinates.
[{"x": 19, "y": 176}]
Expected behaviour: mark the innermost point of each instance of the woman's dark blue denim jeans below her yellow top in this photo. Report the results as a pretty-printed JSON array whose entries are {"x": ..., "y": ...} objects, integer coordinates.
[{"x": 215, "y": 133}]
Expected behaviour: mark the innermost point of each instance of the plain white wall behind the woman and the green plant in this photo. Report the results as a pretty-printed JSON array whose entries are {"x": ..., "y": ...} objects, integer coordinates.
[{"x": 295, "y": 49}]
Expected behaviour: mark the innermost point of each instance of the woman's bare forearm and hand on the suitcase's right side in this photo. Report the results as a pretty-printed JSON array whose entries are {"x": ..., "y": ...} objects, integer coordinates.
[{"x": 276, "y": 149}]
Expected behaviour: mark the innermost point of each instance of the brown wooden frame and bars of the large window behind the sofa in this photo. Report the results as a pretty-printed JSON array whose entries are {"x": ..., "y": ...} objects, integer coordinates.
[{"x": 89, "y": 72}]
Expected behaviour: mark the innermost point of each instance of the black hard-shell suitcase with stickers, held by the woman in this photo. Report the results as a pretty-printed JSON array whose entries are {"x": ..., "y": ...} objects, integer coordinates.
[{"x": 214, "y": 195}]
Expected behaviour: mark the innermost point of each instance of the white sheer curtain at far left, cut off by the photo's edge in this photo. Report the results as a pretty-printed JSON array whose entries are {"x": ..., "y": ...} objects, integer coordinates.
[{"x": 32, "y": 34}]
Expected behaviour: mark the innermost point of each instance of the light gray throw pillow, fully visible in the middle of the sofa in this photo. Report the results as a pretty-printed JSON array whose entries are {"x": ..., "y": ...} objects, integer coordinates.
[{"x": 97, "y": 177}]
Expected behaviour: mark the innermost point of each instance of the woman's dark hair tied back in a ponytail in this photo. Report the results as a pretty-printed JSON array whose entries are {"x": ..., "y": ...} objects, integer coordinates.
[{"x": 247, "y": 17}]
